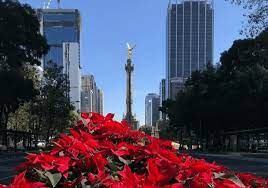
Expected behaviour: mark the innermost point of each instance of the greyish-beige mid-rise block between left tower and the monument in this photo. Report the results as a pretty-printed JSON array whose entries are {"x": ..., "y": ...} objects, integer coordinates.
[{"x": 91, "y": 95}]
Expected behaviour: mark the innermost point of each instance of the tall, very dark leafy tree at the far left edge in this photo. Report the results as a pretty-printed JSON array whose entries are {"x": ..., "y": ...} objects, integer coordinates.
[{"x": 21, "y": 46}]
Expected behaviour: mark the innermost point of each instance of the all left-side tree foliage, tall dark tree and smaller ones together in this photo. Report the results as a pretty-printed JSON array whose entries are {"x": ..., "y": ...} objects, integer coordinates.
[{"x": 31, "y": 99}]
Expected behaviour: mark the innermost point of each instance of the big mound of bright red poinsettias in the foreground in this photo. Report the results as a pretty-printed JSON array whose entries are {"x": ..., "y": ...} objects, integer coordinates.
[{"x": 100, "y": 152}]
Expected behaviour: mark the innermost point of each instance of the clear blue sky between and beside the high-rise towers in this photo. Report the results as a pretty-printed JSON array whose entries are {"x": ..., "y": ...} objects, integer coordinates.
[{"x": 108, "y": 24}]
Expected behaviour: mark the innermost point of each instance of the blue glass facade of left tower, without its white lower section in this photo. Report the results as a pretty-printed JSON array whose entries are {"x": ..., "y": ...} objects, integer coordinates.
[{"x": 59, "y": 26}]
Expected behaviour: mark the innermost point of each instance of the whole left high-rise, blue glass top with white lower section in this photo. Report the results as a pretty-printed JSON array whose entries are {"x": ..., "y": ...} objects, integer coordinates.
[{"x": 61, "y": 27}]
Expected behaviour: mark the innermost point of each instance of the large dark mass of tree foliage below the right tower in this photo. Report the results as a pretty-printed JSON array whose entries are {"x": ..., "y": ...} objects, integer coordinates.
[{"x": 232, "y": 95}]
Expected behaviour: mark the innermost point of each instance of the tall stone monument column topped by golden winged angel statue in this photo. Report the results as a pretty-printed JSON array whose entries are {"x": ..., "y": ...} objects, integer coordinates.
[{"x": 129, "y": 67}]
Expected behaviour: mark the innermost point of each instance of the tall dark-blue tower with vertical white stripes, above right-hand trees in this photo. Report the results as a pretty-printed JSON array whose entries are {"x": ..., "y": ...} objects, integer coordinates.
[{"x": 189, "y": 41}]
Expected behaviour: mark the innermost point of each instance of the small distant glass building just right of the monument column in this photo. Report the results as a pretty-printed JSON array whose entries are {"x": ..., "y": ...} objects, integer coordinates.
[{"x": 152, "y": 103}]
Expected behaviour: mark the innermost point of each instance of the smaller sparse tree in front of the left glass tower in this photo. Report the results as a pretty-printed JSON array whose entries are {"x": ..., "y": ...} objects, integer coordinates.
[{"x": 54, "y": 103}]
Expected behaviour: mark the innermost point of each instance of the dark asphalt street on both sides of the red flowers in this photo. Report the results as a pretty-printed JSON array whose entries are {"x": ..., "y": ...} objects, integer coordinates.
[{"x": 257, "y": 166}]
